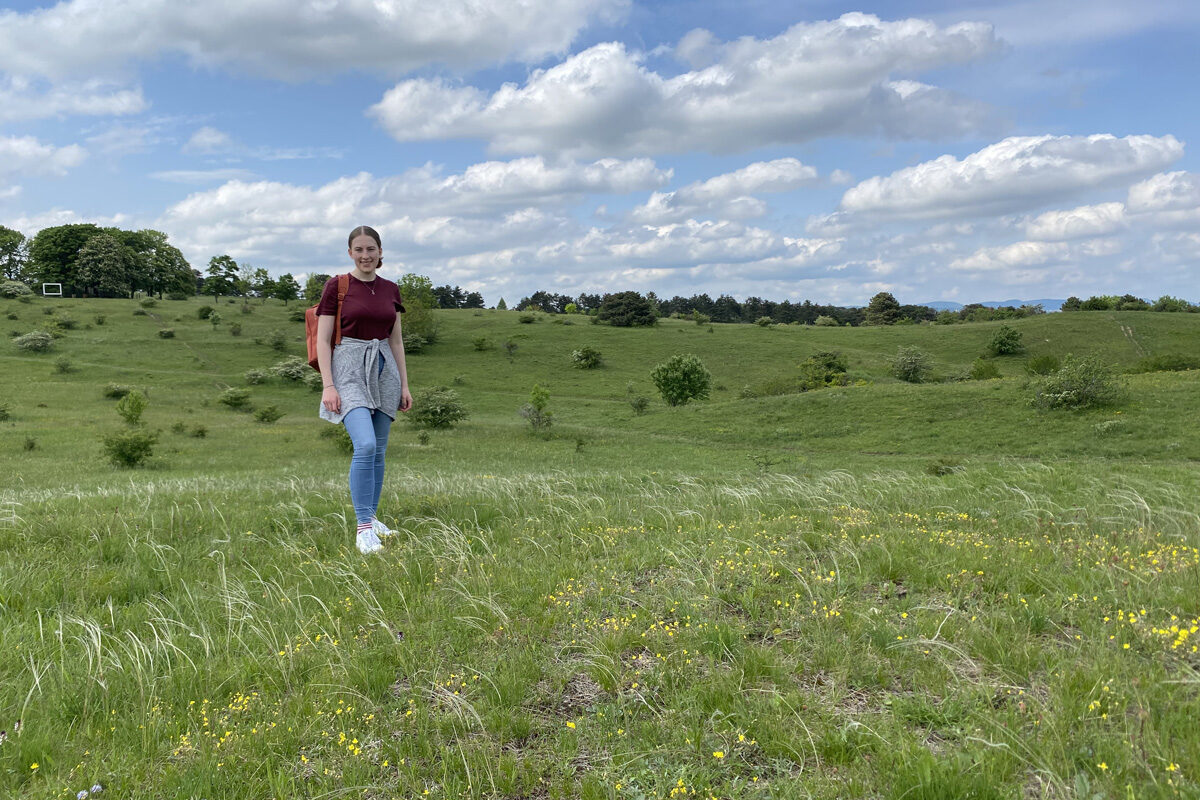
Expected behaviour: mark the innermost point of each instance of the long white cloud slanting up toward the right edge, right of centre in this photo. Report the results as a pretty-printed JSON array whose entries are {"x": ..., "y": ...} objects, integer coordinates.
[{"x": 1015, "y": 175}]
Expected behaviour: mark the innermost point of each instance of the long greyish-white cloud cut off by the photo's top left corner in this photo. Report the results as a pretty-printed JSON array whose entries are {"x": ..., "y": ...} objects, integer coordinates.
[{"x": 283, "y": 39}]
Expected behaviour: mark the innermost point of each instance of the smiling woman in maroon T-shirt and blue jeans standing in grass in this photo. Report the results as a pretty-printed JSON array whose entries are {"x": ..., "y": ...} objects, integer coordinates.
[{"x": 365, "y": 378}]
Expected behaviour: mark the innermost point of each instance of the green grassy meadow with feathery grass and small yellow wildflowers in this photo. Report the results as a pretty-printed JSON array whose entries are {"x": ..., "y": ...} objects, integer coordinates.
[{"x": 879, "y": 591}]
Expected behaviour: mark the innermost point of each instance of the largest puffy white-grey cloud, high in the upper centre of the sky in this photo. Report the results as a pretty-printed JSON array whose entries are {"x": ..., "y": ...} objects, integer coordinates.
[{"x": 817, "y": 80}]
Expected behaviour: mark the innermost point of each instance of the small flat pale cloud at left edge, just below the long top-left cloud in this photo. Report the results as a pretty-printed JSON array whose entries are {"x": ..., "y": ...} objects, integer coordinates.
[{"x": 22, "y": 100}]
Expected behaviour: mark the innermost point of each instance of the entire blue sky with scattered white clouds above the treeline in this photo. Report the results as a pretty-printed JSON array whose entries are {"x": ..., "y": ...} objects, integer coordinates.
[{"x": 806, "y": 151}]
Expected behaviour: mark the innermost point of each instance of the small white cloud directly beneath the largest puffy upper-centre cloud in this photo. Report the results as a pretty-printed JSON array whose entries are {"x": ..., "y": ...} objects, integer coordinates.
[{"x": 730, "y": 196}]
